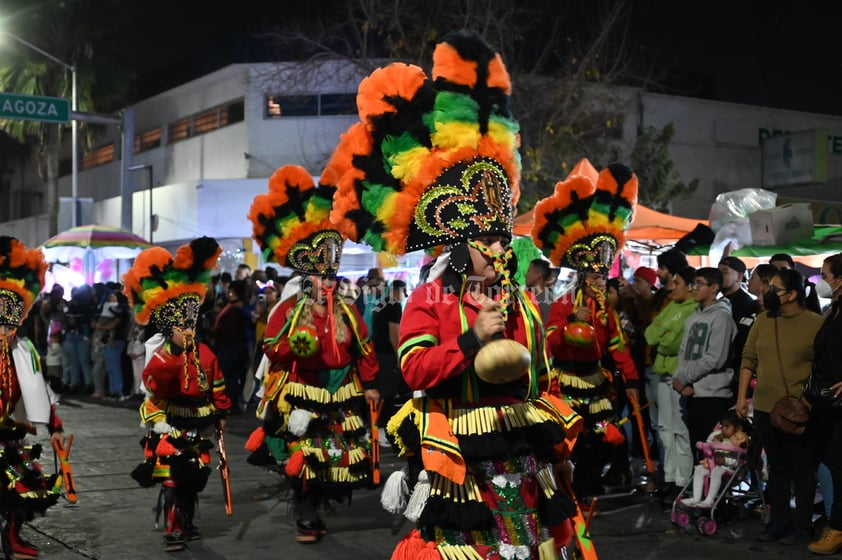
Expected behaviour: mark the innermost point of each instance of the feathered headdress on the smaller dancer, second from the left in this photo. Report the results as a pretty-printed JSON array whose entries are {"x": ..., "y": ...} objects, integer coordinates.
[{"x": 169, "y": 291}]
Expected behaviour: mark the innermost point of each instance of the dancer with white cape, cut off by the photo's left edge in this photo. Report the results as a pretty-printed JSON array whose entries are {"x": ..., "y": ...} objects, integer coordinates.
[{"x": 26, "y": 400}]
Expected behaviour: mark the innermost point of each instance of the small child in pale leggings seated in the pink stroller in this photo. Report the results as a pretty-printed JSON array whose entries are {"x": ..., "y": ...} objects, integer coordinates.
[{"x": 724, "y": 451}]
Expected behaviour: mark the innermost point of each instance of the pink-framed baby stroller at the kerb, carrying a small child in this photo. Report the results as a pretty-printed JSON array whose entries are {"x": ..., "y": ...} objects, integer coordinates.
[{"x": 740, "y": 493}]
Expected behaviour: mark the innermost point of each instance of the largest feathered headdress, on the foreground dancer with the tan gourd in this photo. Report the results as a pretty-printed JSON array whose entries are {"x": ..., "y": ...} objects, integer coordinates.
[{"x": 432, "y": 160}]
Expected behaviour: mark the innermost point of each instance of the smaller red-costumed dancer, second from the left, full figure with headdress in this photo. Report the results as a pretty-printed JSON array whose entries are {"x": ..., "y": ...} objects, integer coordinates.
[{"x": 185, "y": 389}]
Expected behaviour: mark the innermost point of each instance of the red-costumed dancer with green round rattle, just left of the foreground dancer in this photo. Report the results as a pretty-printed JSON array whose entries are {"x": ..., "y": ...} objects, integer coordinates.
[{"x": 322, "y": 365}]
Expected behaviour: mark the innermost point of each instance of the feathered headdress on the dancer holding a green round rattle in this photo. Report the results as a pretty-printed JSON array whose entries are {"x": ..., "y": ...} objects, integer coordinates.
[{"x": 291, "y": 223}]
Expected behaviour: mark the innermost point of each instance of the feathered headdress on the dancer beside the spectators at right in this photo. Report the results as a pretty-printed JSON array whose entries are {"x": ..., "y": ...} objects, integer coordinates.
[{"x": 583, "y": 224}]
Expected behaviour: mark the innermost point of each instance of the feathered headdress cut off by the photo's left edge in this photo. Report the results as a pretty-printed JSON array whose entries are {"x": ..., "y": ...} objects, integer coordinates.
[{"x": 22, "y": 273}]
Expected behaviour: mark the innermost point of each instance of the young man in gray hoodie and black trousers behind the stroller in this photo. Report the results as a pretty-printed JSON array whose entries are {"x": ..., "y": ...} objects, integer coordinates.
[{"x": 704, "y": 369}]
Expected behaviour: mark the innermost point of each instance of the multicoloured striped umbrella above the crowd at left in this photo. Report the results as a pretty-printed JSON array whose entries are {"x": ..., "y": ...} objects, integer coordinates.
[{"x": 93, "y": 244}]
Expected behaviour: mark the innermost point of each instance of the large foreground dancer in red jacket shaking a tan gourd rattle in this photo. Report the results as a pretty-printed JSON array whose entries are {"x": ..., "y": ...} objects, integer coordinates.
[{"x": 434, "y": 163}]
